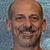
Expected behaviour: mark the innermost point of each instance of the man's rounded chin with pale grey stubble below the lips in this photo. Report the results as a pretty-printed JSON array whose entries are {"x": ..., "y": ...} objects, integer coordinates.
[{"x": 26, "y": 42}]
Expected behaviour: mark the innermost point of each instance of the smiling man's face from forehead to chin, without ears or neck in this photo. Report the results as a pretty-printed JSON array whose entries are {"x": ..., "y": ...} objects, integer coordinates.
[{"x": 26, "y": 24}]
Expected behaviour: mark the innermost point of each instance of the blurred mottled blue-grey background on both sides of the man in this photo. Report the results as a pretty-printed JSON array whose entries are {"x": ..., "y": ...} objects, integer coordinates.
[{"x": 6, "y": 37}]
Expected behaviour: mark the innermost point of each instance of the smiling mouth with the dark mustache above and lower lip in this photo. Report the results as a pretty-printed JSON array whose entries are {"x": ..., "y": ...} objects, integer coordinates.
[{"x": 27, "y": 33}]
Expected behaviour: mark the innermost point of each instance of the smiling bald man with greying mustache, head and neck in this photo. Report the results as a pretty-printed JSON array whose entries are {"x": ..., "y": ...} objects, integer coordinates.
[{"x": 25, "y": 21}]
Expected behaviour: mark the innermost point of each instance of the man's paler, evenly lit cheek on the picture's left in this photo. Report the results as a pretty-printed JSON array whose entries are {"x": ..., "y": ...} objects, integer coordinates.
[{"x": 15, "y": 26}]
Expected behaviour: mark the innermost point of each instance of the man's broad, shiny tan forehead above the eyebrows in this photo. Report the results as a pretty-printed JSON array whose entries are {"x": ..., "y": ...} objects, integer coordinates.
[{"x": 25, "y": 7}]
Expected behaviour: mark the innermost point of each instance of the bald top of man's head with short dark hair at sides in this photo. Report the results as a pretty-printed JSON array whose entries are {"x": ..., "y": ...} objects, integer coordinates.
[{"x": 24, "y": 4}]
